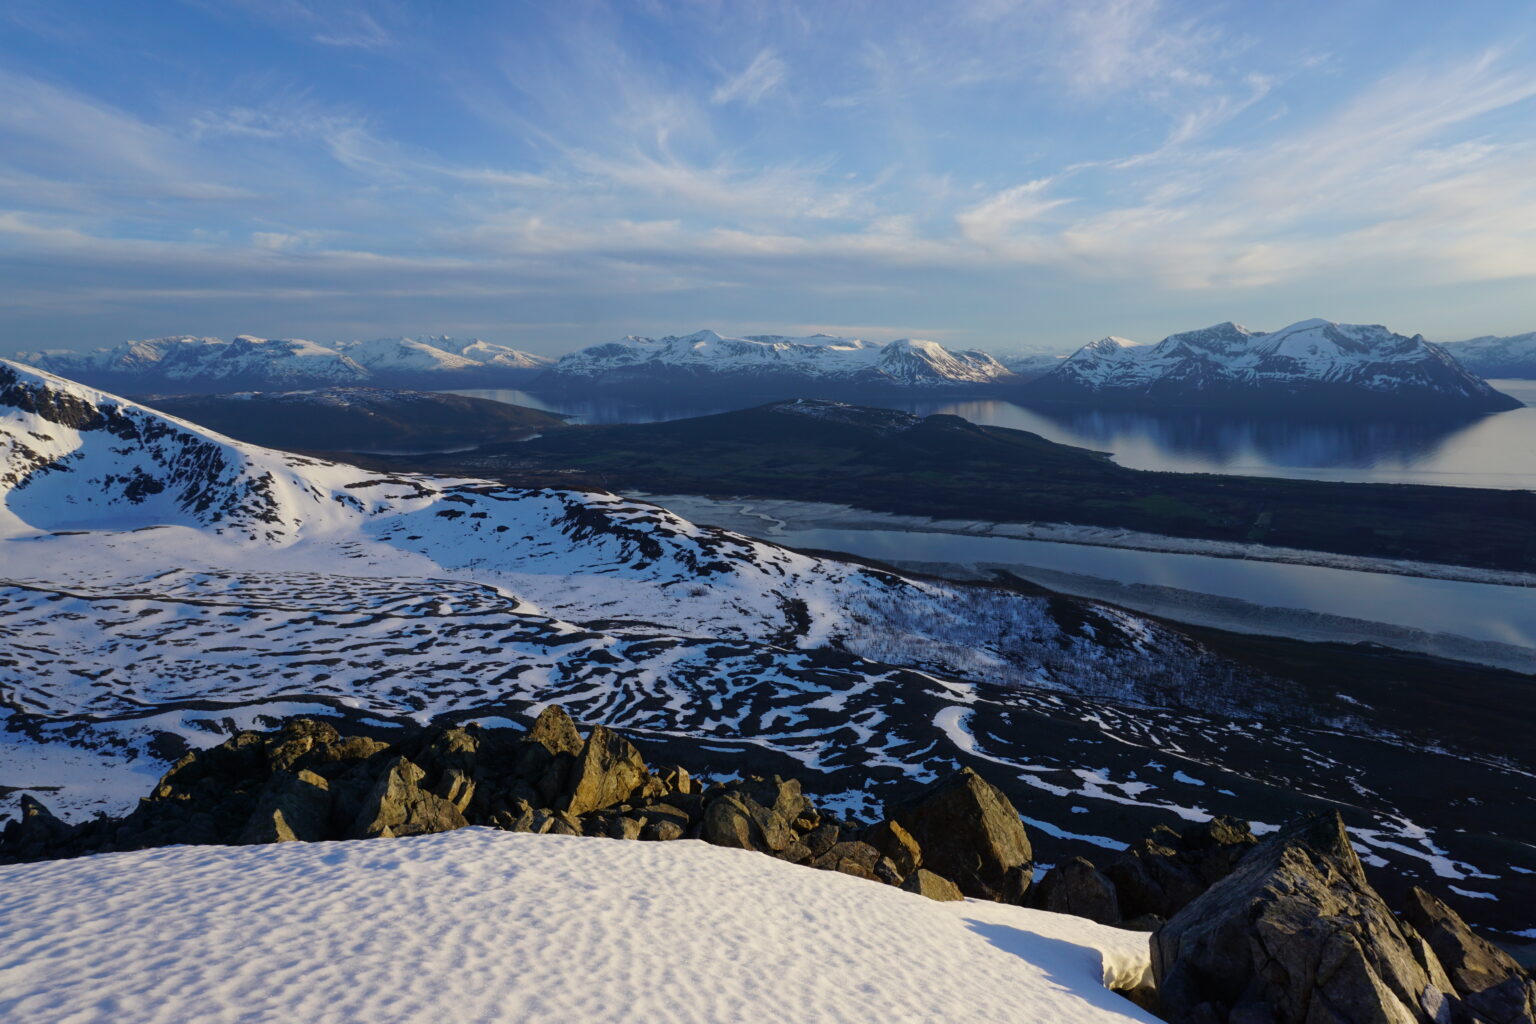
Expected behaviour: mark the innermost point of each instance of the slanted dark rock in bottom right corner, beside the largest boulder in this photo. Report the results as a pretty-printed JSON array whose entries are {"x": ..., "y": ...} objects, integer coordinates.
[{"x": 1491, "y": 985}]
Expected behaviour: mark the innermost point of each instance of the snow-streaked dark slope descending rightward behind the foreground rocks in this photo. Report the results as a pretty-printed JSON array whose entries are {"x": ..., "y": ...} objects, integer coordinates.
[{"x": 164, "y": 586}]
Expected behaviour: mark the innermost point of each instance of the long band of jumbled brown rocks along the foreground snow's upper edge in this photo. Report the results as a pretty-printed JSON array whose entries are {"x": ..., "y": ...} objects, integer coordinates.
[{"x": 306, "y": 782}]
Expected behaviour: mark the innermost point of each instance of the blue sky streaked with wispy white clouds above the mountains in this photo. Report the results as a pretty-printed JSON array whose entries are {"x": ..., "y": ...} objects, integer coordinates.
[{"x": 1001, "y": 174}]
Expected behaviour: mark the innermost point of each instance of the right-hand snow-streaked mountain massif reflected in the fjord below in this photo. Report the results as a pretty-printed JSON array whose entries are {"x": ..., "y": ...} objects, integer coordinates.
[{"x": 1314, "y": 366}]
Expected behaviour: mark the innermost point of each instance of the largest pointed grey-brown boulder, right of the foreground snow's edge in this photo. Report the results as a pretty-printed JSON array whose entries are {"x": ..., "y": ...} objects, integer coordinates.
[{"x": 1296, "y": 936}]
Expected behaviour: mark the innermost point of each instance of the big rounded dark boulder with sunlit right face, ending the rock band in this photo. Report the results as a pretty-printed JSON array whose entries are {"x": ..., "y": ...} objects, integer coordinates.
[{"x": 970, "y": 833}]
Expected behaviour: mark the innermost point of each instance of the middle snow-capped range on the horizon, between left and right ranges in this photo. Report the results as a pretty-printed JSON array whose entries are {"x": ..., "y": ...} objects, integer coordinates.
[{"x": 775, "y": 363}]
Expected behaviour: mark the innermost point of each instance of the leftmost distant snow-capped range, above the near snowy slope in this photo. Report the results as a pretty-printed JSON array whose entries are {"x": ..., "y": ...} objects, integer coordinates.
[{"x": 211, "y": 365}]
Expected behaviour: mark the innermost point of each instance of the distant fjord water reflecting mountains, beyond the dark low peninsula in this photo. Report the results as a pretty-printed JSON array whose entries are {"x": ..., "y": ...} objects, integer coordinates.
[{"x": 1497, "y": 451}]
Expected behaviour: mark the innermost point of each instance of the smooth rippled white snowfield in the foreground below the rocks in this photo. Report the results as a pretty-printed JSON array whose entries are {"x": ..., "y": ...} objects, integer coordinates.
[{"x": 497, "y": 927}]
